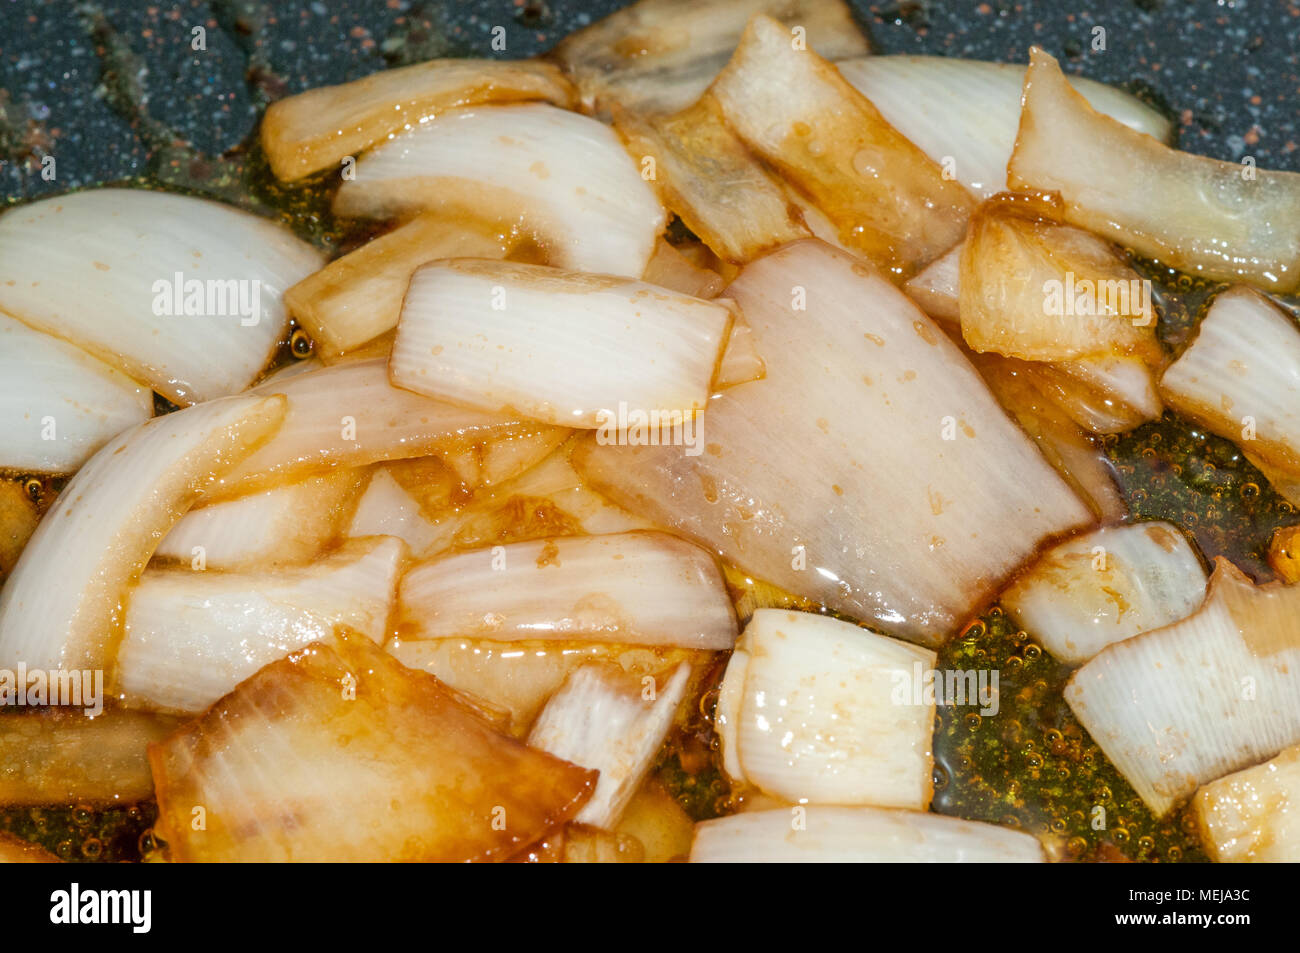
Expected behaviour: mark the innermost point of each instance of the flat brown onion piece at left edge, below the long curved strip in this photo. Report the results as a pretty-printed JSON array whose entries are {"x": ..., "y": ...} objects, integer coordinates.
[{"x": 62, "y": 757}]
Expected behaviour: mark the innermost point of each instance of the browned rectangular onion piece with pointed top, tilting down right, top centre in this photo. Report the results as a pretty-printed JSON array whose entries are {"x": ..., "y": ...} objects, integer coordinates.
[{"x": 889, "y": 200}]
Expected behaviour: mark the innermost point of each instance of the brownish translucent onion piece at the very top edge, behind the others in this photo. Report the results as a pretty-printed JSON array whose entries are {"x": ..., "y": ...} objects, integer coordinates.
[{"x": 658, "y": 57}]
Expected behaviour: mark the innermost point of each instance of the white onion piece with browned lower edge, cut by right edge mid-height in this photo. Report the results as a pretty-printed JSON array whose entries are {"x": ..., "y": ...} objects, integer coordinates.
[{"x": 1242, "y": 378}]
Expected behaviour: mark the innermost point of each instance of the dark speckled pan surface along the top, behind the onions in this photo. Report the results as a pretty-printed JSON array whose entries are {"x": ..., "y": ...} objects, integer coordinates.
[{"x": 109, "y": 88}]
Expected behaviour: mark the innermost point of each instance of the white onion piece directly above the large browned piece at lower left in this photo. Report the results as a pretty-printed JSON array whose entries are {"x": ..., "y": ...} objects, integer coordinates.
[{"x": 190, "y": 638}]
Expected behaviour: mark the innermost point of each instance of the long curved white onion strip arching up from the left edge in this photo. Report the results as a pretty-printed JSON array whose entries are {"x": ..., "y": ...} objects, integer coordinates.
[{"x": 62, "y": 605}]
